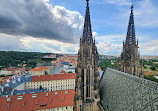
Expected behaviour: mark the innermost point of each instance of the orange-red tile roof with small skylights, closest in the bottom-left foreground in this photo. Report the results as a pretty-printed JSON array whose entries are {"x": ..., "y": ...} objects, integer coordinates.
[{"x": 29, "y": 104}]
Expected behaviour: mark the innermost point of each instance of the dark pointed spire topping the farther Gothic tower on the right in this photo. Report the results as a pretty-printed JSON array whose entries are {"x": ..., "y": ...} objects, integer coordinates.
[{"x": 130, "y": 37}]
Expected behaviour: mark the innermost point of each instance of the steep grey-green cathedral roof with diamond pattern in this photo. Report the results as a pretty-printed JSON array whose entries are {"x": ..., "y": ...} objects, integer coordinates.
[{"x": 120, "y": 91}]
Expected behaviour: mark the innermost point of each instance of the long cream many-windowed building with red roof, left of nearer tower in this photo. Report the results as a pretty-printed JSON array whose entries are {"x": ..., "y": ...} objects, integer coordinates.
[{"x": 54, "y": 82}]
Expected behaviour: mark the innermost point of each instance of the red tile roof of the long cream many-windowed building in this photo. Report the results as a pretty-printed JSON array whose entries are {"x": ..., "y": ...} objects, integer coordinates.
[{"x": 54, "y": 77}]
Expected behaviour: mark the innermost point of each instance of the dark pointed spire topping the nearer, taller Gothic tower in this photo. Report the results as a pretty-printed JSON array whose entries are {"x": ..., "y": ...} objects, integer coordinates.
[{"x": 87, "y": 32}]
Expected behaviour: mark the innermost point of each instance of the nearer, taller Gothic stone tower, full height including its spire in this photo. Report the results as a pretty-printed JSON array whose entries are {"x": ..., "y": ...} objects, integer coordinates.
[{"x": 87, "y": 82}]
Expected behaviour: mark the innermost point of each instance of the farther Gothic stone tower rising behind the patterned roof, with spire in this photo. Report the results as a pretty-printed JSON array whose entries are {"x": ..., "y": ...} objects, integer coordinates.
[{"x": 130, "y": 58}]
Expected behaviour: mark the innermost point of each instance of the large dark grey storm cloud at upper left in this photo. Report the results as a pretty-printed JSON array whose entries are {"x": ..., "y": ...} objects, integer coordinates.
[{"x": 34, "y": 18}]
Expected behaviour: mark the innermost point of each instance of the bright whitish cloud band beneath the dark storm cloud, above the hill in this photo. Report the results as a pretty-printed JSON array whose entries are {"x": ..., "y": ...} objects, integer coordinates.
[{"x": 28, "y": 43}]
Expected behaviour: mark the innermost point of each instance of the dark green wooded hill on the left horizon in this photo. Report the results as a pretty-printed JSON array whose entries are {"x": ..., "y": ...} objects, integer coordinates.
[{"x": 14, "y": 58}]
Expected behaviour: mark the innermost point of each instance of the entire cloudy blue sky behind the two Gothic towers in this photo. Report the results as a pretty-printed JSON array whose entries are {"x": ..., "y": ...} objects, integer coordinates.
[{"x": 56, "y": 25}]
